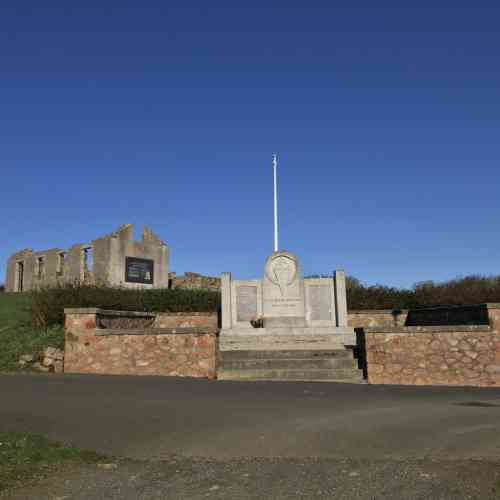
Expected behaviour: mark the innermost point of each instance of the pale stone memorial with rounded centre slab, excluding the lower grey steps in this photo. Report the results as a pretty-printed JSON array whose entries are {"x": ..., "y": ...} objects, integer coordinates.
[{"x": 284, "y": 311}]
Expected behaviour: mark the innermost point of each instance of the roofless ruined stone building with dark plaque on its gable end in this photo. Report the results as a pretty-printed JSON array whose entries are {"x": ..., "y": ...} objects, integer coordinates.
[{"x": 114, "y": 260}]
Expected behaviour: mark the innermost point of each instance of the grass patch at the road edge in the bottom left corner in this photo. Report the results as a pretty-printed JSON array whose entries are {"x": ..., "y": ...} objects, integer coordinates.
[{"x": 27, "y": 457}]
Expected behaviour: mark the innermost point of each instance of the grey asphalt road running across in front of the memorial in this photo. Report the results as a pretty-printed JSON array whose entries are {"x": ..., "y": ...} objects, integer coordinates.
[{"x": 155, "y": 418}]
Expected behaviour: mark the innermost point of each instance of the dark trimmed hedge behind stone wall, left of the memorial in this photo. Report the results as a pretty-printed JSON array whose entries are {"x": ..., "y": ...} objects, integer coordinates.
[{"x": 48, "y": 304}]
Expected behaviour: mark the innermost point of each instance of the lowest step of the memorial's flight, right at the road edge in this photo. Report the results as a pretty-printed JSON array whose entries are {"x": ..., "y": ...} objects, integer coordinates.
[{"x": 344, "y": 375}]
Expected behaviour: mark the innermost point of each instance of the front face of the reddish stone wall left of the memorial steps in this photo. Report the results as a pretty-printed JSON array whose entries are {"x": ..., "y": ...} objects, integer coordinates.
[{"x": 91, "y": 350}]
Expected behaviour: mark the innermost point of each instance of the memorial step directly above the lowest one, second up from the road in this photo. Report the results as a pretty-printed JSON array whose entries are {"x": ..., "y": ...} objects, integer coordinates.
[{"x": 289, "y": 363}]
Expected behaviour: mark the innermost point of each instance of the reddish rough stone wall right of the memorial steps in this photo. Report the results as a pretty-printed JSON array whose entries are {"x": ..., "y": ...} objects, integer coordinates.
[{"x": 468, "y": 355}]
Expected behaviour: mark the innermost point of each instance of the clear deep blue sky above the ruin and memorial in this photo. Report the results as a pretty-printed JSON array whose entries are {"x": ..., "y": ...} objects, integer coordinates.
[{"x": 386, "y": 119}]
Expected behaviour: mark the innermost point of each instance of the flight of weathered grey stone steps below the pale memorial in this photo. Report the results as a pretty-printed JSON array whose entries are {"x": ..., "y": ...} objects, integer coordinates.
[{"x": 307, "y": 365}]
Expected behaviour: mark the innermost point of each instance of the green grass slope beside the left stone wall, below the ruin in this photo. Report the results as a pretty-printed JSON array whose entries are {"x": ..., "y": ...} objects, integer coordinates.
[{"x": 18, "y": 336}]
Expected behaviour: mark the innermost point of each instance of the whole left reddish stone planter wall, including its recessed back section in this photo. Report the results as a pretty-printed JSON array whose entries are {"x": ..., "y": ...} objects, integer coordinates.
[{"x": 188, "y": 347}]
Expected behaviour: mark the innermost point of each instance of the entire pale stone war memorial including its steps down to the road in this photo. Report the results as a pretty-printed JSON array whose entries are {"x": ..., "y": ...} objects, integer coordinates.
[{"x": 304, "y": 334}]
